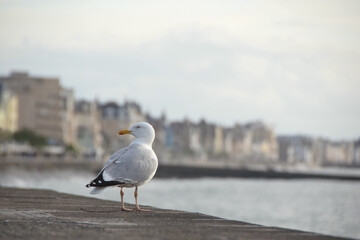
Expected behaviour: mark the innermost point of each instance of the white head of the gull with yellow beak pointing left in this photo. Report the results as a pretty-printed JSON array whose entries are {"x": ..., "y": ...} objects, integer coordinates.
[{"x": 142, "y": 131}]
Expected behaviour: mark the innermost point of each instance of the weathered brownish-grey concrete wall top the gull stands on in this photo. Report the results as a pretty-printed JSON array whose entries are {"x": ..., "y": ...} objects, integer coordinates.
[{"x": 41, "y": 214}]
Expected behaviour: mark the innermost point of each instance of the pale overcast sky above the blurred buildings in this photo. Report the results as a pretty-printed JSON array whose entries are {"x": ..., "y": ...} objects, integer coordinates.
[{"x": 293, "y": 64}]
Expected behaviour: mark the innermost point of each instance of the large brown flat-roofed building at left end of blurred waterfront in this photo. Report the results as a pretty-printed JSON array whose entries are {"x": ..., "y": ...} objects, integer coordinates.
[{"x": 38, "y": 103}]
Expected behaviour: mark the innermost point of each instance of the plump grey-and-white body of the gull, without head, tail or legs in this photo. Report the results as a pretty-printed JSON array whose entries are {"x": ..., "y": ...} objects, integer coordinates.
[{"x": 135, "y": 165}]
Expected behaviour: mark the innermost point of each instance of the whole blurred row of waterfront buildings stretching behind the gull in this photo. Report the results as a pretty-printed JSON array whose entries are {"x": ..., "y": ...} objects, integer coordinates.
[{"x": 43, "y": 105}]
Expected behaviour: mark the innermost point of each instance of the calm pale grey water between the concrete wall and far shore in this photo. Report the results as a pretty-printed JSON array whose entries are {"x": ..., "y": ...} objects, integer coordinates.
[{"x": 322, "y": 206}]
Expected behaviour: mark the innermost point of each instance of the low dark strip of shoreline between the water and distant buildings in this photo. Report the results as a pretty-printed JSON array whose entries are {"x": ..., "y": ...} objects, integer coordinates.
[{"x": 182, "y": 171}]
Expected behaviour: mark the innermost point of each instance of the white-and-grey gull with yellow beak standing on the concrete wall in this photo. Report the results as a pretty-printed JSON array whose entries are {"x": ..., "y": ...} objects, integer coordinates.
[{"x": 131, "y": 166}]
